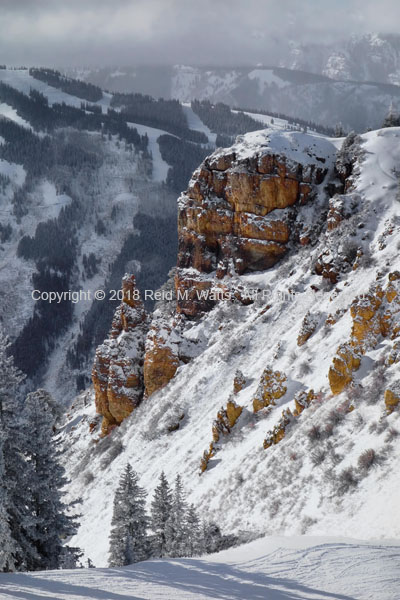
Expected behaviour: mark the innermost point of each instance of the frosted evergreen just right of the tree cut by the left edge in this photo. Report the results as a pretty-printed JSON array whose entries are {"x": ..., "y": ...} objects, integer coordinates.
[{"x": 50, "y": 521}]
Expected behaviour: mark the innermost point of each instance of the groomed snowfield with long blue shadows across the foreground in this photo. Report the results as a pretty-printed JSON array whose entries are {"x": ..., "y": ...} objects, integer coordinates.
[{"x": 266, "y": 569}]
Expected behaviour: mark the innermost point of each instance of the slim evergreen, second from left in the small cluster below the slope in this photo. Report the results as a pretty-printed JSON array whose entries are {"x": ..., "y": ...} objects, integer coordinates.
[{"x": 160, "y": 512}]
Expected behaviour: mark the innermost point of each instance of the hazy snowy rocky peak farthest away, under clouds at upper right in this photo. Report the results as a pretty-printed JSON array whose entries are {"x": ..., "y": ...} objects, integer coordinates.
[{"x": 370, "y": 57}]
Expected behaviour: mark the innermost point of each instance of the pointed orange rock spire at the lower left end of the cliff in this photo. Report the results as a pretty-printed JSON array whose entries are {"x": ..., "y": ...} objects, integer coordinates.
[{"x": 118, "y": 367}]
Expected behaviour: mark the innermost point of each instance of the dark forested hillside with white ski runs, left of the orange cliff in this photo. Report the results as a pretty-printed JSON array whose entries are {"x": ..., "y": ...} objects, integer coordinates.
[{"x": 74, "y": 173}]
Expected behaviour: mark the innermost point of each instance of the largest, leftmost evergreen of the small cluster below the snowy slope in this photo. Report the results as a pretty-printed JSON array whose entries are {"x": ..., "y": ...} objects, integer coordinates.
[{"x": 128, "y": 537}]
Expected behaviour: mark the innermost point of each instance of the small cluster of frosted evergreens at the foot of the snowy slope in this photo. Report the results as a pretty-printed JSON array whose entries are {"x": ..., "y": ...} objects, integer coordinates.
[{"x": 172, "y": 529}]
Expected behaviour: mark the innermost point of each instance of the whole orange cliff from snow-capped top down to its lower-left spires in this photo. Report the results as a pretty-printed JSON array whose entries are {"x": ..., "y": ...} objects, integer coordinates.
[{"x": 244, "y": 209}]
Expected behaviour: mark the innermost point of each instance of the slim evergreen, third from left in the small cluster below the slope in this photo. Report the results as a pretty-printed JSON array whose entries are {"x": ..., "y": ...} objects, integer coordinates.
[{"x": 176, "y": 531}]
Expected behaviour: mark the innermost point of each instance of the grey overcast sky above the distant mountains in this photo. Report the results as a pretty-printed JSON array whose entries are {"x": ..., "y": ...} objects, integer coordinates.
[{"x": 96, "y": 32}]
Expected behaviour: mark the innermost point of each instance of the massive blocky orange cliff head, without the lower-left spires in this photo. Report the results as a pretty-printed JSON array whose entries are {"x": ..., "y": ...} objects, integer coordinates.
[{"x": 239, "y": 214}]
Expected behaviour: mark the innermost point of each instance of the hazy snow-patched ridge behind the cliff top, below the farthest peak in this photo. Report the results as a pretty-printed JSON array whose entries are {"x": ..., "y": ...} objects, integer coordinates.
[{"x": 356, "y": 105}]
